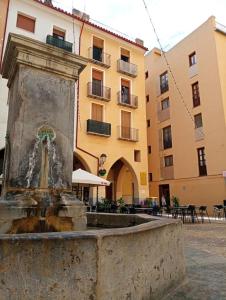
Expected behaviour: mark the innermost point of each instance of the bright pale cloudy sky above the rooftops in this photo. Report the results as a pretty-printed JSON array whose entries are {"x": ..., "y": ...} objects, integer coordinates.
[{"x": 173, "y": 19}]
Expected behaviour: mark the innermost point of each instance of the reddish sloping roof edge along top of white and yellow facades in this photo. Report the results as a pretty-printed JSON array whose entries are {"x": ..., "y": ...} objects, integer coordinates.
[{"x": 90, "y": 23}]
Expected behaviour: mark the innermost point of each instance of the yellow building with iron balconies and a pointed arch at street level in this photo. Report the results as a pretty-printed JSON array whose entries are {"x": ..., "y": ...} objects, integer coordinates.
[{"x": 111, "y": 113}]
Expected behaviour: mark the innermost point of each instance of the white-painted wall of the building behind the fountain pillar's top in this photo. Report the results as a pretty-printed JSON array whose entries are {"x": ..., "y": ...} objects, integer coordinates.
[{"x": 46, "y": 18}]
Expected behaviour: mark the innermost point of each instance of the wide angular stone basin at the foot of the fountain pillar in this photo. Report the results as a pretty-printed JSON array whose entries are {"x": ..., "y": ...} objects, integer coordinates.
[{"x": 138, "y": 262}]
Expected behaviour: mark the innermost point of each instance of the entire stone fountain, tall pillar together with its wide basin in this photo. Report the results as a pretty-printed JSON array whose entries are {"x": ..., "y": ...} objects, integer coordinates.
[{"x": 45, "y": 251}]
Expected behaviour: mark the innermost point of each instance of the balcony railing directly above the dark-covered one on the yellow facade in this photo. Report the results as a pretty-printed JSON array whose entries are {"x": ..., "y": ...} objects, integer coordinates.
[{"x": 96, "y": 90}]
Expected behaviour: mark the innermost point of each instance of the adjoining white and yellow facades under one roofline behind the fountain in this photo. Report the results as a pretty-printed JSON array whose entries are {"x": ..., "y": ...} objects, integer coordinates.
[{"x": 111, "y": 107}]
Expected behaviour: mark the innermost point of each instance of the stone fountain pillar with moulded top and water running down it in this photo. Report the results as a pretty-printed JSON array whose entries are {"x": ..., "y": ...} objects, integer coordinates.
[{"x": 40, "y": 136}]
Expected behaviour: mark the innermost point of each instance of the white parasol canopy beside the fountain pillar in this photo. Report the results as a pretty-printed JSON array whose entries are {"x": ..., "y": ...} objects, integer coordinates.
[{"x": 82, "y": 177}]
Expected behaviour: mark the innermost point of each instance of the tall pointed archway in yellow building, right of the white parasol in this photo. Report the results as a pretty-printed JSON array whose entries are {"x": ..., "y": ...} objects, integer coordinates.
[{"x": 124, "y": 182}]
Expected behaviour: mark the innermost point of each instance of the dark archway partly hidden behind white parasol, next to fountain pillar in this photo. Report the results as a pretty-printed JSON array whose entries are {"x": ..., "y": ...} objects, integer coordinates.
[{"x": 84, "y": 193}]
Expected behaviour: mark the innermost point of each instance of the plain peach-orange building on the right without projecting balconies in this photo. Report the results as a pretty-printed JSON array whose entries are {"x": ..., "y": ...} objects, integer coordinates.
[{"x": 187, "y": 132}]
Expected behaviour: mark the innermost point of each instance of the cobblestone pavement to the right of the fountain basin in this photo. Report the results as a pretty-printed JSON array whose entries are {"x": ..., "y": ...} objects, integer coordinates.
[{"x": 205, "y": 253}]
